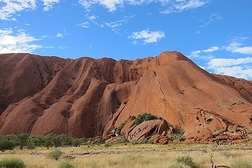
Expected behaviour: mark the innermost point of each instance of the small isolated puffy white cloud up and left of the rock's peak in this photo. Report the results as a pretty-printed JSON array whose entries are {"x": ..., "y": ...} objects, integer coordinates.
[{"x": 147, "y": 36}]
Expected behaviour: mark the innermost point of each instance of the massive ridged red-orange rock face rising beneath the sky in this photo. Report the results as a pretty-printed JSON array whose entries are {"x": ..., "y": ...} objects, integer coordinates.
[{"x": 88, "y": 97}]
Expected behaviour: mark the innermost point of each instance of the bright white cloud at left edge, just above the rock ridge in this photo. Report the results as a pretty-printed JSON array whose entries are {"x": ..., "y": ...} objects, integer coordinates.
[{"x": 16, "y": 43}]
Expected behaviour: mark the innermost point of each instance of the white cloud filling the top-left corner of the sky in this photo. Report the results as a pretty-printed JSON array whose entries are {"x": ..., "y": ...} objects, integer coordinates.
[{"x": 11, "y": 7}]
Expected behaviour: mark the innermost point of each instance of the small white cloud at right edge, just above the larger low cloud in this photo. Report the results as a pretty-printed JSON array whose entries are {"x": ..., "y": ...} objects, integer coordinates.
[{"x": 236, "y": 47}]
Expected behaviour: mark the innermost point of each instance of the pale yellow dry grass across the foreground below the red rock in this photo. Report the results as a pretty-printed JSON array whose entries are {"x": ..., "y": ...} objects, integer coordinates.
[{"x": 135, "y": 156}]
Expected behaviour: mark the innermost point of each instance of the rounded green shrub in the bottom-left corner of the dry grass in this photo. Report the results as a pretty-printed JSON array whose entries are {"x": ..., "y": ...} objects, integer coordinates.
[{"x": 12, "y": 163}]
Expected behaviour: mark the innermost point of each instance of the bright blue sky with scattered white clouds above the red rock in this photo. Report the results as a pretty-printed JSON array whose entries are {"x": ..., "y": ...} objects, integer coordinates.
[{"x": 215, "y": 34}]
